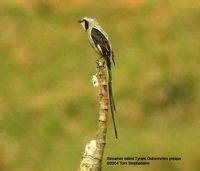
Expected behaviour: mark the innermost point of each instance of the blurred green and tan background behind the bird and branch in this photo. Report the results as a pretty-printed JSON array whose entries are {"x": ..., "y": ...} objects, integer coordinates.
[{"x": 49, "y": 108}]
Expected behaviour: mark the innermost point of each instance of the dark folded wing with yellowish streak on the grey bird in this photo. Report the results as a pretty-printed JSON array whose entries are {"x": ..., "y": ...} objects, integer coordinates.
[{"x": 101, "y": 43}]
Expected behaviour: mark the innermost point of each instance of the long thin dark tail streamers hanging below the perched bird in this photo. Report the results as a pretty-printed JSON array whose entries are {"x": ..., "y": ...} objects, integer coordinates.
[{"x": 111, "y": 98}]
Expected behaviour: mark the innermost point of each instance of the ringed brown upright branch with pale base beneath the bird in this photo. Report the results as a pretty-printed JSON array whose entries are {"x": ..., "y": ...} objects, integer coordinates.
[{"x": 93, "y": 155}]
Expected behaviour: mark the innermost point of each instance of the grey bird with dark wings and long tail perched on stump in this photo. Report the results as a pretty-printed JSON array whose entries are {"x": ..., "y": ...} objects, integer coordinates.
[{"x": 100, "y": 42}]
